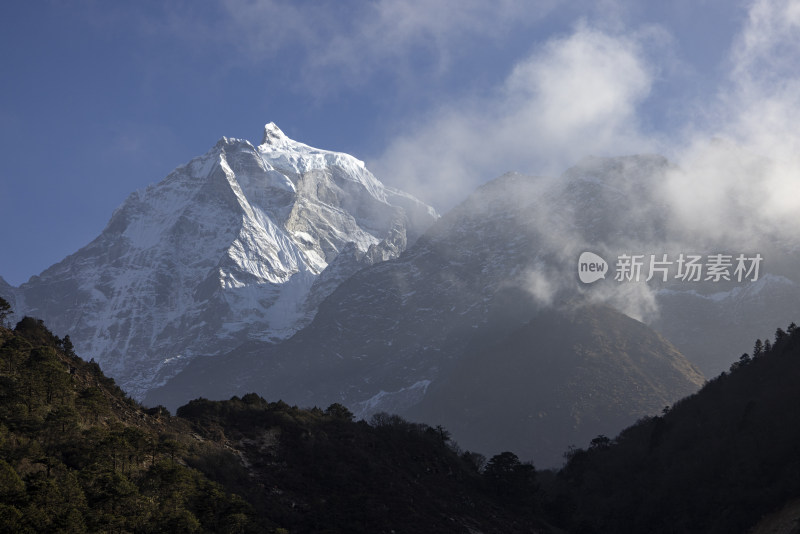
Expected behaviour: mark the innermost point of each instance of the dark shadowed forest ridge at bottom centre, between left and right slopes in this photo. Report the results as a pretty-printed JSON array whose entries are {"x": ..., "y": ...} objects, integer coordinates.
[{"x": 318, "y": 471}]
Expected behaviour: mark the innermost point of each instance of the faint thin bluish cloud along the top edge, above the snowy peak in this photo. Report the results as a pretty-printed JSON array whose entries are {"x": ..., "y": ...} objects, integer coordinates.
[{"x": 347, "y": 44}]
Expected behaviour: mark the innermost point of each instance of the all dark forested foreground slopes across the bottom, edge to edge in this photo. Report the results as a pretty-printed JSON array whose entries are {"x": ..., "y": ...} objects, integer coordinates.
[{"x": 79, "y": 455}]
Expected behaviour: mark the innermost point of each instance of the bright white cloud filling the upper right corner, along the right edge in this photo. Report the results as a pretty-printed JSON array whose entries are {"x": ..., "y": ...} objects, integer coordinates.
[{"x": 745, "y": 184}]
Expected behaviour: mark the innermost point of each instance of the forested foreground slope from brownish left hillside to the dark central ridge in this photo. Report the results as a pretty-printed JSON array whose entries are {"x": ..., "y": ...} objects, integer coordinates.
[{"x": 78, "y": 455}]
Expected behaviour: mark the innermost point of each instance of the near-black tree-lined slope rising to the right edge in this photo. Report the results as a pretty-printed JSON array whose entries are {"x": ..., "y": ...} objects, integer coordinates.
[{"x": 718, "y": 461}]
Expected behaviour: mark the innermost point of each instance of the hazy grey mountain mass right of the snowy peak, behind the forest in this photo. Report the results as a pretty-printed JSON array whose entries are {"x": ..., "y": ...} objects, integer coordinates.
[{"x": 426, "y": 335}]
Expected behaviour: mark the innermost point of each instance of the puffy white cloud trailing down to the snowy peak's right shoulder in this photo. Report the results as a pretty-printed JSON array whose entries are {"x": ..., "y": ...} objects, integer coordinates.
[{"x": 574, "y": 96}]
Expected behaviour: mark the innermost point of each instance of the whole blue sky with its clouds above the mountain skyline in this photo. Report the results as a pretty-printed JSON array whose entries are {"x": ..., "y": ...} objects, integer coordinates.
[{"x": 99, "y": 99}]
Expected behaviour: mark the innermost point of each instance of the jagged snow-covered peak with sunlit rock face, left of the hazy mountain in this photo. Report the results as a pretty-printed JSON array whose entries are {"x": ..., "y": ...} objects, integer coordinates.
[{"x": 228, "y": 247}]
